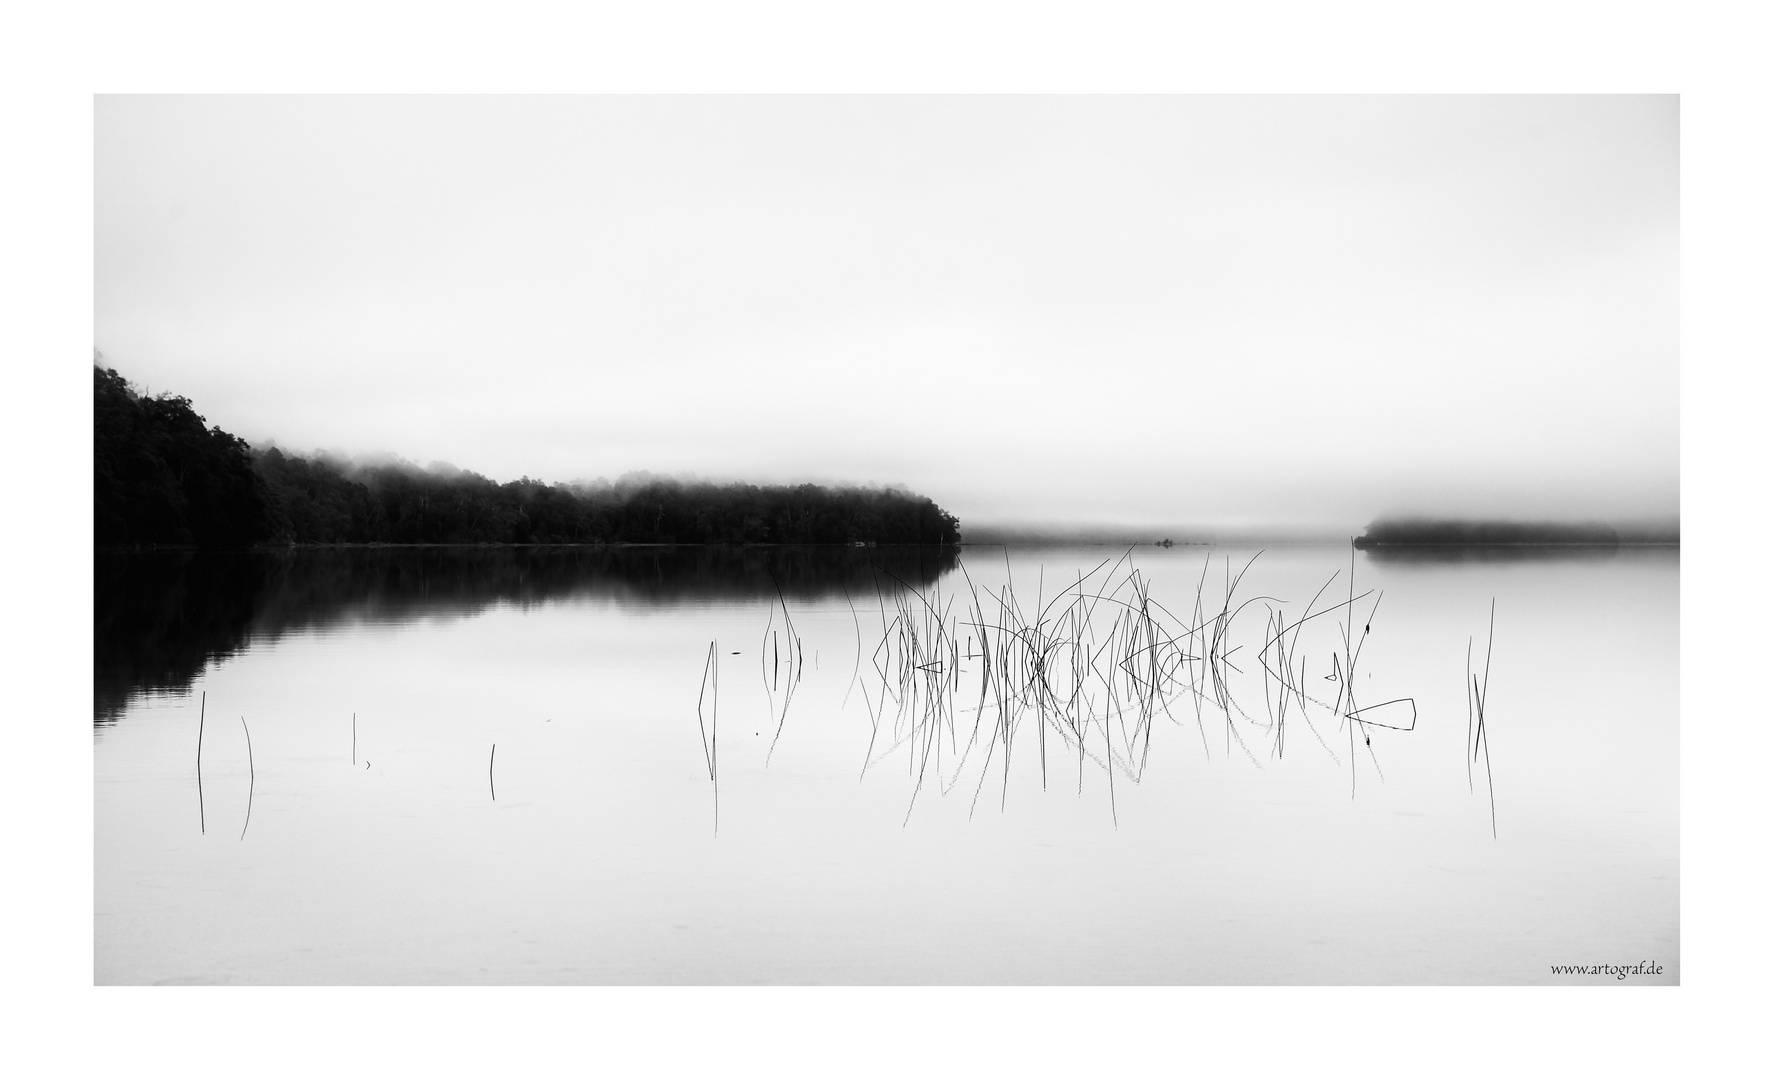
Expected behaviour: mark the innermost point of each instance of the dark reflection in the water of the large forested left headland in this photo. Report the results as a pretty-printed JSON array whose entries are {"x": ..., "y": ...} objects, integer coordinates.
[{"x": 161, "y": 618}]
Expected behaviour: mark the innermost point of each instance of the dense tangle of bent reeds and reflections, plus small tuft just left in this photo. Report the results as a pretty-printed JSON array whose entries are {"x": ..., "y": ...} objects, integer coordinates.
[{"x": 962, "y": 682}]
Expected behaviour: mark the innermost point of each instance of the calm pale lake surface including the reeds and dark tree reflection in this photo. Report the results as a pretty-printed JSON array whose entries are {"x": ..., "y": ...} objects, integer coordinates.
[{"x": 1122, "y": 788}]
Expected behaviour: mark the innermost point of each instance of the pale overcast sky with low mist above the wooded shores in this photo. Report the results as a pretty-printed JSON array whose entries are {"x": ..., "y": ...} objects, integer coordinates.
[{"x": 1221, "y": 311}]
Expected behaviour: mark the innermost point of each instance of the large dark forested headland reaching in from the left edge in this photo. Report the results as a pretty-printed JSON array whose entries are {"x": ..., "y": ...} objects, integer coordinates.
[{"x": 162, "y": 478}]
